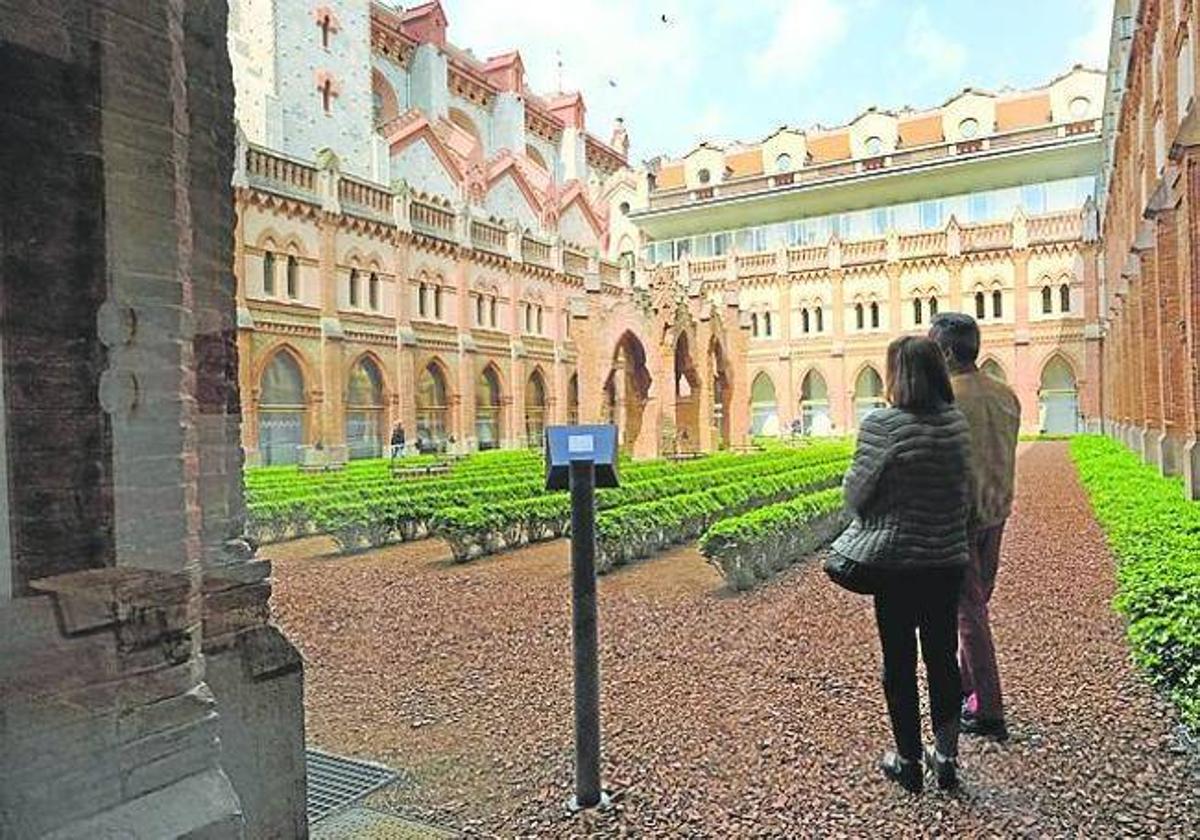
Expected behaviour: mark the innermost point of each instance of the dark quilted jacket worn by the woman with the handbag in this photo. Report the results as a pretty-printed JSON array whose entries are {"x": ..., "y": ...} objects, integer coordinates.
[{"x": 909, "y": 491}]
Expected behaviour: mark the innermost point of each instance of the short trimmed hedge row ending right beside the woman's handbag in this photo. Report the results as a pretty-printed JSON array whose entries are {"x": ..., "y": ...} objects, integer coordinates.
[{"x": 761, "y": 543}]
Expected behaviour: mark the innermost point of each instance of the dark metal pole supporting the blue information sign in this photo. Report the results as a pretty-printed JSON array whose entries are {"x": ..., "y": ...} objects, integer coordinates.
[{"x": 584, "y": 609}]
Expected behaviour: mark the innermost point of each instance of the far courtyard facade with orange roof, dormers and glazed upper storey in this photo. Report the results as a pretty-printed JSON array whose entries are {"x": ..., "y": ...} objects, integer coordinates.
[{"x": 839, "y": 239}]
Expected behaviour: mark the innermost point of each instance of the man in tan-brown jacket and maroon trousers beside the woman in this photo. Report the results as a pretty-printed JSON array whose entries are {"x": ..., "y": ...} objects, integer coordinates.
[{"x": 994, "y": 416}]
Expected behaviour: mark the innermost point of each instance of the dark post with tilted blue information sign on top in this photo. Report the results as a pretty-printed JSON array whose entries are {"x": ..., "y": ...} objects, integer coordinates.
[{"x": 581, "y": 459}]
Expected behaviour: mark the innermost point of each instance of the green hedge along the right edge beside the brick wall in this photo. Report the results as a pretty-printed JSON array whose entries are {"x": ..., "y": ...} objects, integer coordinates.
[{"x": 1155, "y": 533}]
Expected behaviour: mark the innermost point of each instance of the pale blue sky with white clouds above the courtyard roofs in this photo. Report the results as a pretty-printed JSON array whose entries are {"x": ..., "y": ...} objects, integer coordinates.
[{"x": 728, "y": 70}]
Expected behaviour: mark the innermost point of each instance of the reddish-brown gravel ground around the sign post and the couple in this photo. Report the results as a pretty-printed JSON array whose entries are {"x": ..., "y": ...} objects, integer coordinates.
[{"x": 730, "y": 716}]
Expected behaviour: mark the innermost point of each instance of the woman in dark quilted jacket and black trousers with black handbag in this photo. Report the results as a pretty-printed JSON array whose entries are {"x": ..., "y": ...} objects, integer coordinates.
[{"x": 909, "y": 491}]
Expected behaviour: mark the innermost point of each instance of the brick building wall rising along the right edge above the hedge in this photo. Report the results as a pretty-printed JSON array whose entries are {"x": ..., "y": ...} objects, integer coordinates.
[{"x": 1150, "y": 209}]
